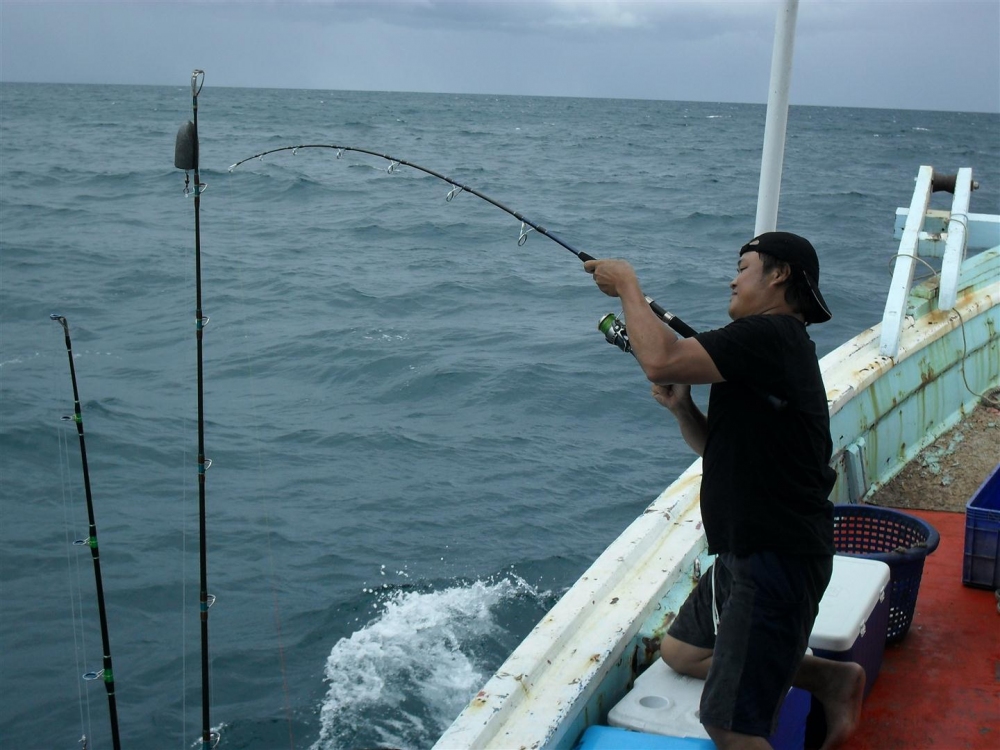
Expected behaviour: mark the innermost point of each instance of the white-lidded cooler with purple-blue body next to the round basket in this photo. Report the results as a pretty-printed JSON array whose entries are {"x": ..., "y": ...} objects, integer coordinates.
[{"x": 854, "y": 615}]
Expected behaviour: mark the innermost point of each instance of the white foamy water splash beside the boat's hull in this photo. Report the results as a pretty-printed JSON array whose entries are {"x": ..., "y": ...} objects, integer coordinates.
[{"x": 408, "y": 673}]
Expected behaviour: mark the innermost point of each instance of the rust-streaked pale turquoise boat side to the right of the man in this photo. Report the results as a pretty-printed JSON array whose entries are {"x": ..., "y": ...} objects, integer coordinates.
[{"x": 898, "y": 407}]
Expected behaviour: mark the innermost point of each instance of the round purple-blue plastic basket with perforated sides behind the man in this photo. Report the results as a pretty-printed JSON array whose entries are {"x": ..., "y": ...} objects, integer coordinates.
[{"x": 898, "y": 539}]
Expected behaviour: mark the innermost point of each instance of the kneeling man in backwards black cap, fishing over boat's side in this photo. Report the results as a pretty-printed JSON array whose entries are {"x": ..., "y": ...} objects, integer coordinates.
[{"x": 766, "y": 448}]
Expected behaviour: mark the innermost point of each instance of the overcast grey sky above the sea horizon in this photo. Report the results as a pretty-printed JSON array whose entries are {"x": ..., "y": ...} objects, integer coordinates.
[{"x": 909, "y": 54}]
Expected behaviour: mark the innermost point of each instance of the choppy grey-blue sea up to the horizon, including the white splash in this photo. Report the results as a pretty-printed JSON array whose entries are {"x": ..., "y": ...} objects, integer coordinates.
[{"x": 419, "y": 439}]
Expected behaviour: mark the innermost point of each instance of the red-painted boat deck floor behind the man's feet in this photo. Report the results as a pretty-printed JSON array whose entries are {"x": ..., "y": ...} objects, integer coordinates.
[{"x": 940, "y": 687}]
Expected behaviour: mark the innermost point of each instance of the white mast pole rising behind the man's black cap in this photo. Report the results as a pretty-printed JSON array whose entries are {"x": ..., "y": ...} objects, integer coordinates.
[{"x": 777, "y": 118}]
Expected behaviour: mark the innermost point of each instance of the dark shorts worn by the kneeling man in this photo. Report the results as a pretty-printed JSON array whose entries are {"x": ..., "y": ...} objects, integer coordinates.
[{"x": 767, "y": 603}]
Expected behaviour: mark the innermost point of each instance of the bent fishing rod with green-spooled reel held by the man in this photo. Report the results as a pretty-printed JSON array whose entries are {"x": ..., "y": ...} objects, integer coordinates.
[{"x": 613, "y": 328}]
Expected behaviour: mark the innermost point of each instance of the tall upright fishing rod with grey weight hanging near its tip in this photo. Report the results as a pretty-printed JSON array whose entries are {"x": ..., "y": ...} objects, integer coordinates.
[{"x": 186, "y": 158}]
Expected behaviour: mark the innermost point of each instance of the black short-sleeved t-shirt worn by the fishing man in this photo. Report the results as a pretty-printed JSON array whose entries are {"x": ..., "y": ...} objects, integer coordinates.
[{"x": 766, "y": 472}]
